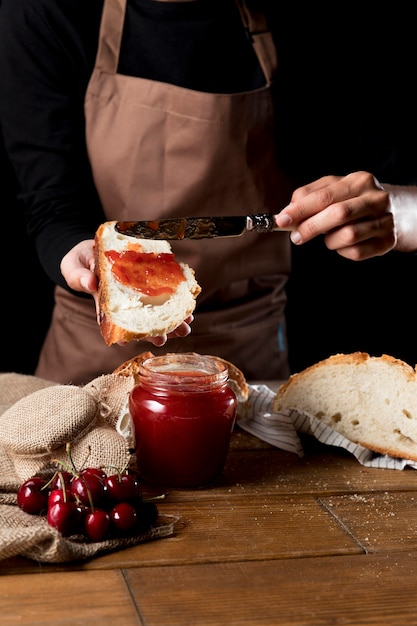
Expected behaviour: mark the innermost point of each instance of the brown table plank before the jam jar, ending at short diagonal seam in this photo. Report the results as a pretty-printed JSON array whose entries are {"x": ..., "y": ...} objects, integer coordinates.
[{"x": 237, "y": 529}]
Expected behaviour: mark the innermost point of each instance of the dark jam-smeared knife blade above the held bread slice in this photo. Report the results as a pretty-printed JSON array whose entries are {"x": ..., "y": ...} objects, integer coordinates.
[{"x": 200, "y": 227}]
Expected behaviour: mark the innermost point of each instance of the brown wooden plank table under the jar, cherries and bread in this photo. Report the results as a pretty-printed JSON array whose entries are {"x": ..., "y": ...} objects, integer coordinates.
[{"x": 279, "y": 540}]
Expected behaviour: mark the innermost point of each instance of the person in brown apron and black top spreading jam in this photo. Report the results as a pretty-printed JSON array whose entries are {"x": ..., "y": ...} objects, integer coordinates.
[{"x": 142, "y": 109}]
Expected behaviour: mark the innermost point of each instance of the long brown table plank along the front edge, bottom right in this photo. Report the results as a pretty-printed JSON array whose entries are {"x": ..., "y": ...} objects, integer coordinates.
[{"x": 370, "y": 590}]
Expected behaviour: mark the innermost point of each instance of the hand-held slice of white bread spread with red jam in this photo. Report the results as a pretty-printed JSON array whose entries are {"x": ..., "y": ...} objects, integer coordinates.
[{"x": 147, "y": 308}]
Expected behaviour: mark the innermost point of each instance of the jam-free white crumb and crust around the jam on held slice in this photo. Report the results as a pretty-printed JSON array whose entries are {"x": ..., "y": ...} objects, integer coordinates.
[{"x": 124, "y": 313}]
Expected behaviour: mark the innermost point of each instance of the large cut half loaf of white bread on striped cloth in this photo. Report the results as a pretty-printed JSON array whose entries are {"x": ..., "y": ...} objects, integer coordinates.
[{"x": 372, "y": 401}]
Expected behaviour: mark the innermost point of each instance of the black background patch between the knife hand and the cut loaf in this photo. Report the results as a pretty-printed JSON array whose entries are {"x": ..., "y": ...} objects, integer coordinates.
[{"x": 336, "y": 305}]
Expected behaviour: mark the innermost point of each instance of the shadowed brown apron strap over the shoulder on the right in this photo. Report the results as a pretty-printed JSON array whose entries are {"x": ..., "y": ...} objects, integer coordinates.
[{"x": 259, "y": 34}]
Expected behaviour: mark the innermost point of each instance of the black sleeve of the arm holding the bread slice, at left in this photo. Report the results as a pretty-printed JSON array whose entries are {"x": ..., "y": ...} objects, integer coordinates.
[{"x": 45, "y": 65}]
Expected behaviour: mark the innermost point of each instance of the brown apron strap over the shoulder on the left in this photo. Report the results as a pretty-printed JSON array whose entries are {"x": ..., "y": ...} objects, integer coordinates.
[{"x": 111, "y": 31}]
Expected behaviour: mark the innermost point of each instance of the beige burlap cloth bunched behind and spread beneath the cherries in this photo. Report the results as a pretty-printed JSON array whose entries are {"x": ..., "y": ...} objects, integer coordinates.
[{"x": 38, "y": 419}]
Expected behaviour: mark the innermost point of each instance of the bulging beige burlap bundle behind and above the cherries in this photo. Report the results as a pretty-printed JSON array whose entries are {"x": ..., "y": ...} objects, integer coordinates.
[{"x": 37, "y": 427}]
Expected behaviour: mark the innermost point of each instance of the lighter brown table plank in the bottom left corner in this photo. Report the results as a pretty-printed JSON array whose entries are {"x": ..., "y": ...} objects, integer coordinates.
[{"x": 67, "y": 598}]
